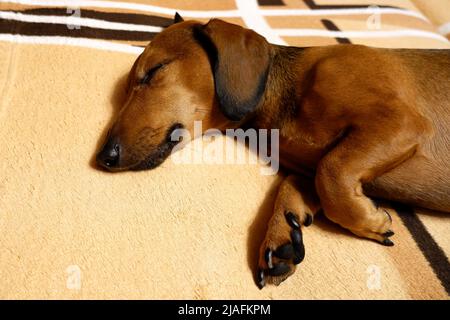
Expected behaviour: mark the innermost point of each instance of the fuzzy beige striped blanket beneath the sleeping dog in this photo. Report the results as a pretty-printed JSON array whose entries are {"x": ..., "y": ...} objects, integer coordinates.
[{"x": 71, "y": 231}]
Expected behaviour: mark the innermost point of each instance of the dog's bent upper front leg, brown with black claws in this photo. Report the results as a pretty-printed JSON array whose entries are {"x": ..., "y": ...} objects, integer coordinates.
[{"x": 360, "y": 157}]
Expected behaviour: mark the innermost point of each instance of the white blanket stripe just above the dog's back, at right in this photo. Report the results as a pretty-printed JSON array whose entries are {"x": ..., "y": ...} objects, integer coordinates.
[{"x": 360, "y": 34}]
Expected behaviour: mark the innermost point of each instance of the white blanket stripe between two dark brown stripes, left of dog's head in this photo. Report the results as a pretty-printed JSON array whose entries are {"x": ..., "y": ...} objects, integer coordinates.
[{"x": 77, "y": 21}]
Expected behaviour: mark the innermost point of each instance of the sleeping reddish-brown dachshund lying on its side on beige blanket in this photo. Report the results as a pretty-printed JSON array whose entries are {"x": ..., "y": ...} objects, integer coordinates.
[{"x": 353, "y": 120}]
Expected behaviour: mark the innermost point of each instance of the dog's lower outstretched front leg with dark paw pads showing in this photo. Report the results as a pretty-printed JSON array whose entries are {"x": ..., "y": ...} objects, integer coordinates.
[{"x": 282, "y": 248}]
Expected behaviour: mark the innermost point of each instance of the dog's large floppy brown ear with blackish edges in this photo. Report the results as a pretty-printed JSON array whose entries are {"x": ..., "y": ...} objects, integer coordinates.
[{"x": 240, "y": 60}]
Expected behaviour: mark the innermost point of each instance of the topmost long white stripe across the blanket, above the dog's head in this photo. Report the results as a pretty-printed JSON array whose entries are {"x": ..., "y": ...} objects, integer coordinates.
[{"x": 214, "y": 13}]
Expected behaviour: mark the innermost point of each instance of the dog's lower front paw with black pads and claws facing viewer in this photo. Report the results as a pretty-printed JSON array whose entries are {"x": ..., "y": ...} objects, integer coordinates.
[{"x": 281, "y": 250}]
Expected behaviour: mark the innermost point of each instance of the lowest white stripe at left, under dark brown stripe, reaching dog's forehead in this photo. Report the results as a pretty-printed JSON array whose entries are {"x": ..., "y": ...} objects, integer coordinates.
[{"x": 77, "y": 42}]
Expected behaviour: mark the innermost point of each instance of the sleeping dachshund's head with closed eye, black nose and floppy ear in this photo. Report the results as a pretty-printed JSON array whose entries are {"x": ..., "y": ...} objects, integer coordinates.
[{"x": 214, "y": 73}]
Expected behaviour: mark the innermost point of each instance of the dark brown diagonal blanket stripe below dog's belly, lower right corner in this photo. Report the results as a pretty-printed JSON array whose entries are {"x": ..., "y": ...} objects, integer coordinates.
[{"x": 430, "y": 249}]
